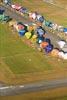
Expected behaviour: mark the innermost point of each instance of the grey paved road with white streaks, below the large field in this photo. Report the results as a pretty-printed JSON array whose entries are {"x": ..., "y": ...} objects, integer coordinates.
[{"x": 32, "y": 87}]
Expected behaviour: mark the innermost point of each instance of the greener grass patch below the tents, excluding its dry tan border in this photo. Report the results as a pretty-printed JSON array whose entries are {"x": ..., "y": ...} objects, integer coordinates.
[{"x": 18, "y": 56}]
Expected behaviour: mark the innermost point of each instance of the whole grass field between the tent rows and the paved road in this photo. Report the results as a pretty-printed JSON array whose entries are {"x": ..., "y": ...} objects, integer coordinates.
[{"x": 18, "y": 60}]
